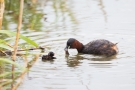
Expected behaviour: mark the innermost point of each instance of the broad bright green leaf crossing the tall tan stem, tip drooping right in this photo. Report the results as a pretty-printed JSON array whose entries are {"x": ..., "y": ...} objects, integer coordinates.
[{"x": 28, "y": 40}]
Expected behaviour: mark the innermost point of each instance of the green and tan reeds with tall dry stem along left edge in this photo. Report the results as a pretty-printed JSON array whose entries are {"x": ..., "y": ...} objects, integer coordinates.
[{"x": 13, "y": 73}]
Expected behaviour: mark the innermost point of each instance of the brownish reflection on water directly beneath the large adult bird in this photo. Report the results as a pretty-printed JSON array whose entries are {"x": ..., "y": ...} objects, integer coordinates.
[{"x": 77, "y": 60}]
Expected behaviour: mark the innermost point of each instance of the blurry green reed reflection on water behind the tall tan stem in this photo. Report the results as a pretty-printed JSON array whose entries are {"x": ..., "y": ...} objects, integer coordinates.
[{"x": 31, "y": 16}]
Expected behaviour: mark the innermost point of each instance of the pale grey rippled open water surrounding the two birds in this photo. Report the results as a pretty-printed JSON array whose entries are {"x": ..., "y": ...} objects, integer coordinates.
[{"x": 113, "y": 20}]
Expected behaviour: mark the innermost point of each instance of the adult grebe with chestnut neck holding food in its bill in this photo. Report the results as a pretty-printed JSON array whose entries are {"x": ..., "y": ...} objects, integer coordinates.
[{"x": 96, "y": 47}]
